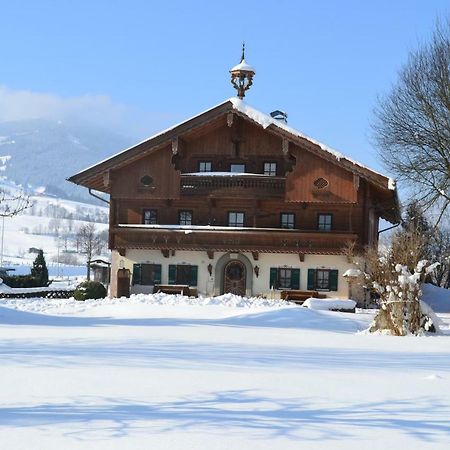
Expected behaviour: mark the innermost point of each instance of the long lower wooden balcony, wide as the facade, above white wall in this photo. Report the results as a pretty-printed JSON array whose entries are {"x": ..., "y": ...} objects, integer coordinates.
[{"x": 226, "y": 239}]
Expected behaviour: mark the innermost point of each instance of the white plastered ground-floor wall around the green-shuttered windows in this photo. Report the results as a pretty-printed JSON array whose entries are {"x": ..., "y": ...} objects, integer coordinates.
[{"x": 208, "y": 285}]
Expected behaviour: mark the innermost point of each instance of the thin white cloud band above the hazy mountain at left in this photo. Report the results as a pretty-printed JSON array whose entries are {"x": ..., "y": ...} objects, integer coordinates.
[{"x": 95, "y": 109}]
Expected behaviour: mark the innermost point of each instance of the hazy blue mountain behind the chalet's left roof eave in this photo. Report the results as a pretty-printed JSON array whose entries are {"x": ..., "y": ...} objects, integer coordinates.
[{"x": 45, "y": 153}]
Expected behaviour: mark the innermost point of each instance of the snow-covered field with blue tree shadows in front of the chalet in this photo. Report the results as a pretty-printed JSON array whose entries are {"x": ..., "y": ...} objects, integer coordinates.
[{"x": 167, "y": 372}]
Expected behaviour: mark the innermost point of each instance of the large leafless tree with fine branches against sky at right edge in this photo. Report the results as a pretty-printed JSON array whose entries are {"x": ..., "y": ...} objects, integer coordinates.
[{"x": 412, "y": 124}]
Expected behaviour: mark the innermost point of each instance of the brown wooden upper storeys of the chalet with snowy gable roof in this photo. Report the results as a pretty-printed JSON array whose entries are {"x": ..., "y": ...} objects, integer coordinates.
[{"x": 179, "y": 190}]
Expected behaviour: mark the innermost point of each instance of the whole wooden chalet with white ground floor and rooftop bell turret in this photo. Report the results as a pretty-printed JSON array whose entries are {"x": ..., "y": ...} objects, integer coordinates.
[{"x": 234, "y": 200}]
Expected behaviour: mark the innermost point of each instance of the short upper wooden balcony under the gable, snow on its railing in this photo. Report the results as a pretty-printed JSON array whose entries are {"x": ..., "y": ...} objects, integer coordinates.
[{"x": 223, "y": 184}]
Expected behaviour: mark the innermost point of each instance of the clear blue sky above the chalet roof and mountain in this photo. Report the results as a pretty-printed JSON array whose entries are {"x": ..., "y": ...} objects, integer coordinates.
[{"x": 139, "y": 66}]
